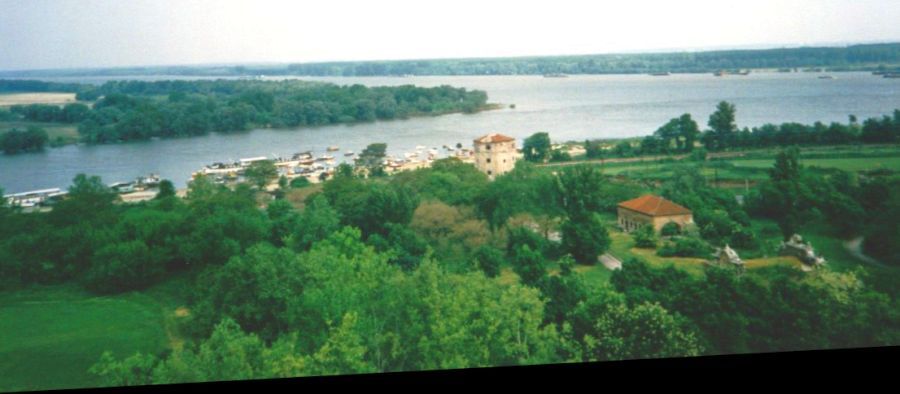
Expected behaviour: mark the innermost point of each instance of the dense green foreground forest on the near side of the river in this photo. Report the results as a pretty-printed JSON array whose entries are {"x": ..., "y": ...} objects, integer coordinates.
[{"x": 404, "y": 272}]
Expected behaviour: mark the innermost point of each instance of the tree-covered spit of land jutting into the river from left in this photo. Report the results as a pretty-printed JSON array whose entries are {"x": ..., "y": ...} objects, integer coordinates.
[{"x": 136, "y": 110}]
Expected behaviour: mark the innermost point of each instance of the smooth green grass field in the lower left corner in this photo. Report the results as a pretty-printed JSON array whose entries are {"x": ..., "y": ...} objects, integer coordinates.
[{"x": 52, "y": 335}]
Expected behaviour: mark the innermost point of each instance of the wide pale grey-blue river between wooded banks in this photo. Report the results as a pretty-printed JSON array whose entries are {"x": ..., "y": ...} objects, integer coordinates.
[{"x": 573, "y": 108}]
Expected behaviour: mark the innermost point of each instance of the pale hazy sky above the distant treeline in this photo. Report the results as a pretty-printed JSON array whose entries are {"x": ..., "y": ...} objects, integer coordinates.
[{"x": 102, "y": 33}]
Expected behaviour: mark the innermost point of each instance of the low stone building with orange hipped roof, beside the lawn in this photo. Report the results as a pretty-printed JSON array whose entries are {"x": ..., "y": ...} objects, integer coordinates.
[{"x": 652, "y": 210}]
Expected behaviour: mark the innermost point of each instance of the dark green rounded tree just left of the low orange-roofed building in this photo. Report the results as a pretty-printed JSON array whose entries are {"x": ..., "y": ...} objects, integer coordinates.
[{"x": 585, "y": 238}]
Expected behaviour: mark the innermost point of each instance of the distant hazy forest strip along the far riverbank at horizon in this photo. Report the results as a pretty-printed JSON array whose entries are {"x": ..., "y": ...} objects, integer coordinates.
[{"x": 865, "y": 57}]
